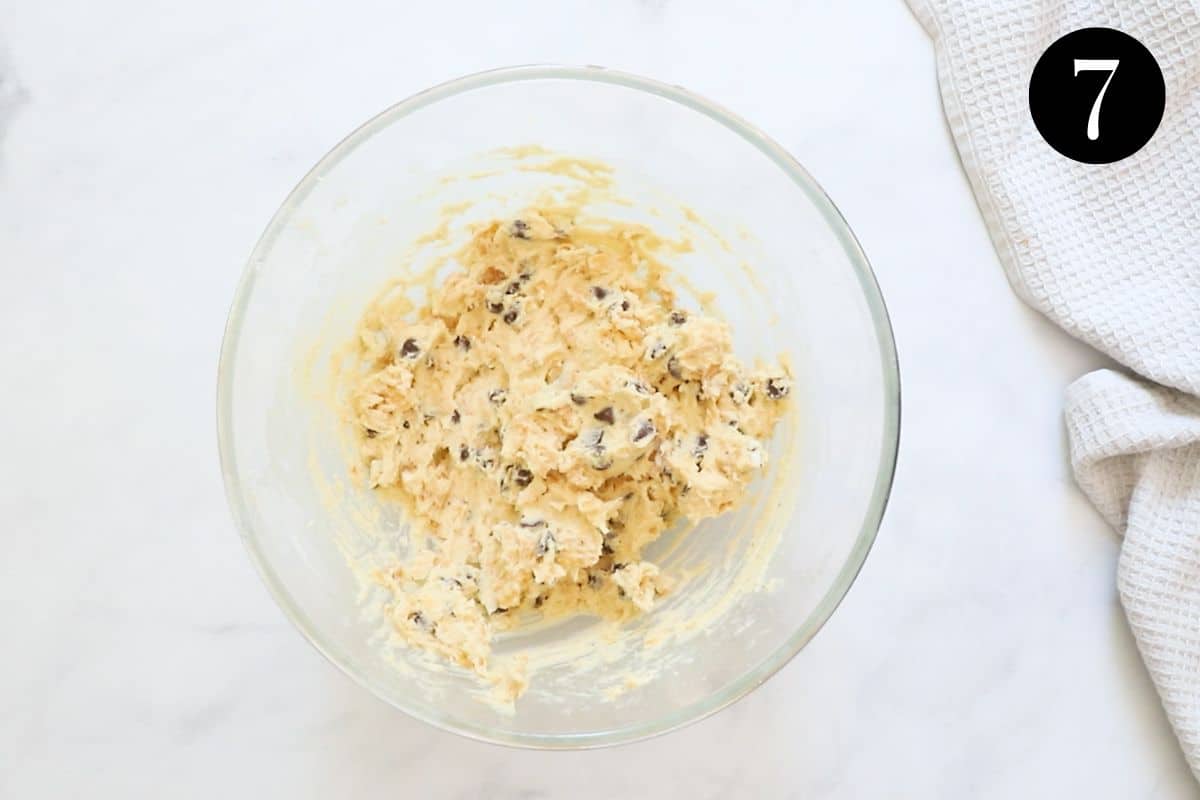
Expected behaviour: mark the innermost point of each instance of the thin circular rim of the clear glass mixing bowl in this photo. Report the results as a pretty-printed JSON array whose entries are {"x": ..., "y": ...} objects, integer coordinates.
[{"x": 889, "y": 362}]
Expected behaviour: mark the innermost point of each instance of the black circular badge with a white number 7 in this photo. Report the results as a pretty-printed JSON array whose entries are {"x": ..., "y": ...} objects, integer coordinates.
[{"x": 1097, "y": 95}]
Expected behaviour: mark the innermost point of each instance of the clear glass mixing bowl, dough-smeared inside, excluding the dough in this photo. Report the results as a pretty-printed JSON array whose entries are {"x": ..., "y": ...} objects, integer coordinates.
[{"x": 783, "y": 268}]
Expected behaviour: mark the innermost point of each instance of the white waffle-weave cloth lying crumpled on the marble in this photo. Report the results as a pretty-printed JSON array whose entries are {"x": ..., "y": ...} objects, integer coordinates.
[{"x": 1112, "y": 254}]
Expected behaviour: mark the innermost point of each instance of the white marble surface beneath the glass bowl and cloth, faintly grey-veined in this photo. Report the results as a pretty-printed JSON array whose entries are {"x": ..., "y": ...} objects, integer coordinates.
[{"x": 981, "y": 654}]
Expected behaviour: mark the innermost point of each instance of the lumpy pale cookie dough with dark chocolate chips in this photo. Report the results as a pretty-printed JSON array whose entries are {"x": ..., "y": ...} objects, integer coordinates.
[{"x": 543, "y": 418}]
